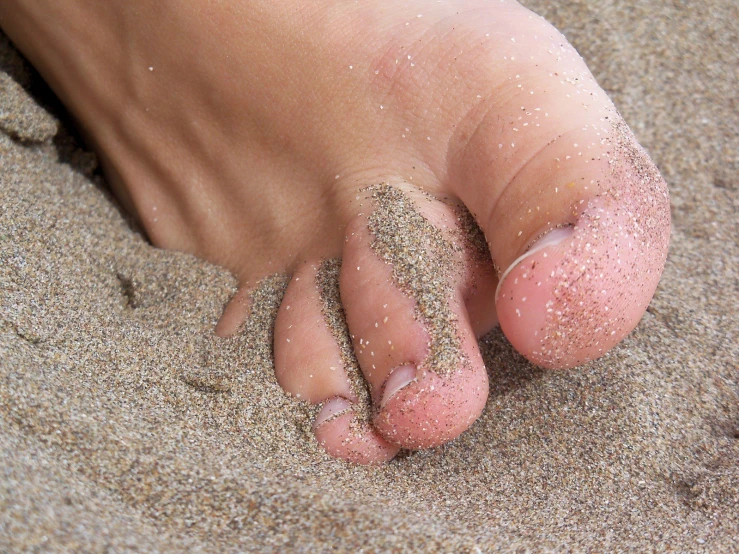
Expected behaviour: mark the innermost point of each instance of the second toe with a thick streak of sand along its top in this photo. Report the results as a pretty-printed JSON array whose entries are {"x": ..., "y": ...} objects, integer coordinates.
[{"x": 404, "y": 284}]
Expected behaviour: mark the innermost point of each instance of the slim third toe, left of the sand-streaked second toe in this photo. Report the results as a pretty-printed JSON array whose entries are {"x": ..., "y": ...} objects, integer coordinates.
[{"x": 314, "y": 362}]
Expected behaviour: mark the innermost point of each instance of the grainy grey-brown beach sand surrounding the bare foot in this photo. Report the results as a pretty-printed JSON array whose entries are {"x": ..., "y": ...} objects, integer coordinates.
[{"x": 126, "y": 425}]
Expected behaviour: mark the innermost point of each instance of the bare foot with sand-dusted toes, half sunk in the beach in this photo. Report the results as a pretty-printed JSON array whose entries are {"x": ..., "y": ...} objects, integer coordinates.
[{"x": 347, "y": 145}]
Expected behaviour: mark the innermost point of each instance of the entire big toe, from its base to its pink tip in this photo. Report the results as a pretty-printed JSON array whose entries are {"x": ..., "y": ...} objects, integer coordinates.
[{"x": 555, "y": 161}]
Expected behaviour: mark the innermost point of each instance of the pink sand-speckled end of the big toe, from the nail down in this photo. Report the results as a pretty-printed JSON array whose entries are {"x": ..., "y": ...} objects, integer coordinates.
[{"x": 581, "y": 288}]
